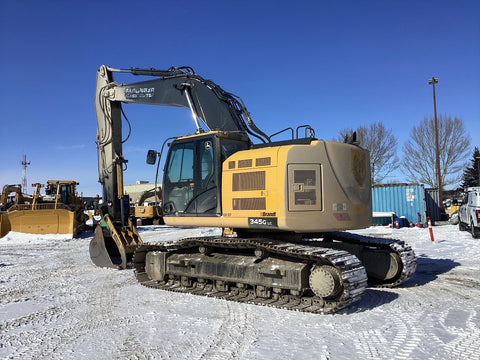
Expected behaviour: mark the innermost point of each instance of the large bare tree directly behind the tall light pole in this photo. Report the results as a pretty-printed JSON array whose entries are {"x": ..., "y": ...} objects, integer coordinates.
[{"x": 419, "y": 151}]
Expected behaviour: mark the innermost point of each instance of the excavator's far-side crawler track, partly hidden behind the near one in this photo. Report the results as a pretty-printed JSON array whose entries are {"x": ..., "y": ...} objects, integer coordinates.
[{"x": 400, "y": 252}]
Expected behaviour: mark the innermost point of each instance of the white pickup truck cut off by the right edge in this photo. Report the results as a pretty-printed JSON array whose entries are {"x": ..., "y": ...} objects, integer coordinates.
[{"x": 469, "y": 212}]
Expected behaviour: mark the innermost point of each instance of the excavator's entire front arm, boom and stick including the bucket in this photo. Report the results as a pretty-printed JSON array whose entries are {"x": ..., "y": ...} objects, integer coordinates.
[{"x": 209, "y": 105}]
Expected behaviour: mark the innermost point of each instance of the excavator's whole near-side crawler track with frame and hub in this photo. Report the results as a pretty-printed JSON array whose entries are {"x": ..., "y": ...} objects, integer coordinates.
[{"x": 293, "y": 276}]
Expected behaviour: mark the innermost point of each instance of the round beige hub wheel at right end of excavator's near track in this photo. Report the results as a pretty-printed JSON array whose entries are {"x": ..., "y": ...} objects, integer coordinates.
[{"x": 325, "y": 281}]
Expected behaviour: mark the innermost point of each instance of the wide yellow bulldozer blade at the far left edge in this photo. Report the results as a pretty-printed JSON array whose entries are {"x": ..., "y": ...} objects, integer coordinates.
[{"x": 43, "y": 221}]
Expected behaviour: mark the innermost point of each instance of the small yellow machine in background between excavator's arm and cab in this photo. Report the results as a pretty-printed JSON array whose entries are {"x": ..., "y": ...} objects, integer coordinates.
[{"x": 149, "y": 212}]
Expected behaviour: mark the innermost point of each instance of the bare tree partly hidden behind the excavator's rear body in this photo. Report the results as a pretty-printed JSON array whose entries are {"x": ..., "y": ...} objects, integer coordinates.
[{"x": 381, "y": 144}]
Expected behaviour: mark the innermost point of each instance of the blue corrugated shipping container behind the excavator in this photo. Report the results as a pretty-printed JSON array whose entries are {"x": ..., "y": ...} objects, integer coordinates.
[{"x": 403, "y": 199}]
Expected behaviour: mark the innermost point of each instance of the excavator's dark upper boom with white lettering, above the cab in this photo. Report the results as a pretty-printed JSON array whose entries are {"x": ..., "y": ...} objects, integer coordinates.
[{"x": 181, "y": 87}]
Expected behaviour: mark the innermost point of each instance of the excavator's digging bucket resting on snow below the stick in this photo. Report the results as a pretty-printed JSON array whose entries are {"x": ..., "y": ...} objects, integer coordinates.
[{"x": 112, "y": 247}]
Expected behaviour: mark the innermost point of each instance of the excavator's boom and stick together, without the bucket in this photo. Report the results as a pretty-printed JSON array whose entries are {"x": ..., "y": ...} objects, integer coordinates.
[{"x": 181, "y": 87}]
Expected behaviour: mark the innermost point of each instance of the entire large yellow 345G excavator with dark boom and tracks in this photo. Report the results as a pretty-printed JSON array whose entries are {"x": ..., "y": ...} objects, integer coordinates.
[{"x": 283, "y": 205}]
